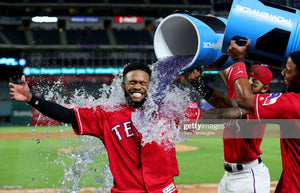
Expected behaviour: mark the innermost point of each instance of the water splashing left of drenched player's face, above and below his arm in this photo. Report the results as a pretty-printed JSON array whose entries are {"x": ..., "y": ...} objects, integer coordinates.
[{"x": 83, "y": 159}]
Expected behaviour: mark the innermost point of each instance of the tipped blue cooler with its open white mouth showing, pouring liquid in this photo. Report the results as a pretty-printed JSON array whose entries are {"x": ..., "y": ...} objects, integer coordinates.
[{"x": 199, "y": 37}]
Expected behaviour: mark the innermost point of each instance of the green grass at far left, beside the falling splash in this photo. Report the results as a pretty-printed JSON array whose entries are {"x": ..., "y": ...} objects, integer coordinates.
[{"x": 24, "y": 163}]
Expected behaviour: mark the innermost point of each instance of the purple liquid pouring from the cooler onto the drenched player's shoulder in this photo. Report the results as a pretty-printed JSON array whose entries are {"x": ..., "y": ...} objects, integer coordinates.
[{"x": 162, "y": 114}]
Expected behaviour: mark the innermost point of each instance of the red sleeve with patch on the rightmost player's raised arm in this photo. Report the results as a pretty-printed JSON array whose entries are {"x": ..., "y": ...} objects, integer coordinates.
[{"x": 272, "y": 106}]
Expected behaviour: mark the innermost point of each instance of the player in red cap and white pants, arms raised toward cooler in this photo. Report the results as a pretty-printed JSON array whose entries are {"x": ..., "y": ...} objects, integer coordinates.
[{"x": 244, "y": 170}]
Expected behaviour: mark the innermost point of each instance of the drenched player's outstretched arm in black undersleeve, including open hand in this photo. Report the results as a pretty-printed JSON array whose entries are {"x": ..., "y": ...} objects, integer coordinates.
[{"x": 20, "y": 92}]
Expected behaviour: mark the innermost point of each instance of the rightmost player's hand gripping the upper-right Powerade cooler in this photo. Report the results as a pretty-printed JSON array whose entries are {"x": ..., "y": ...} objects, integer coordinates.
[{"x": 235, "y": 51}]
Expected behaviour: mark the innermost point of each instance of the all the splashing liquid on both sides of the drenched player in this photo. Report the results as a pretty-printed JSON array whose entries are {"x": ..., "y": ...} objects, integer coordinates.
[{"x": 164, "y": 108}]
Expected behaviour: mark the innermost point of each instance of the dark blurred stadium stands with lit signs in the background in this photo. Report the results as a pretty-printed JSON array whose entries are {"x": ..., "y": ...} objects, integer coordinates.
[{"x": 84, "y": 42}]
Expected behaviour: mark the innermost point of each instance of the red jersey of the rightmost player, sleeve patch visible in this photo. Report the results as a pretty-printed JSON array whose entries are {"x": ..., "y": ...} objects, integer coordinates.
[{"x": 285, "y": 107}]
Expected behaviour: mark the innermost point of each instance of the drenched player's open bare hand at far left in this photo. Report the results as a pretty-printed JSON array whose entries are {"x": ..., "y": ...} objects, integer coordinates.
[{"x": 20, "y": 92}]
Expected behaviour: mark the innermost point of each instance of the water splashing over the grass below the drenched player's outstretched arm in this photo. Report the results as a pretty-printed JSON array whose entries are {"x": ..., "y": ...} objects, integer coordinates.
[{"x": 86, "y": 164}]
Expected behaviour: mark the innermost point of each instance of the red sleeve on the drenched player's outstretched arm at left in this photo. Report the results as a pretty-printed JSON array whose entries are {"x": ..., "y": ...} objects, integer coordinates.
[{"x": 90, "y": 122}]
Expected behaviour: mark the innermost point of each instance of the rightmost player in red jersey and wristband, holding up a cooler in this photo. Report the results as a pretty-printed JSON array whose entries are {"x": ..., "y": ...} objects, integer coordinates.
[{"x": 283, "y": 106}]
